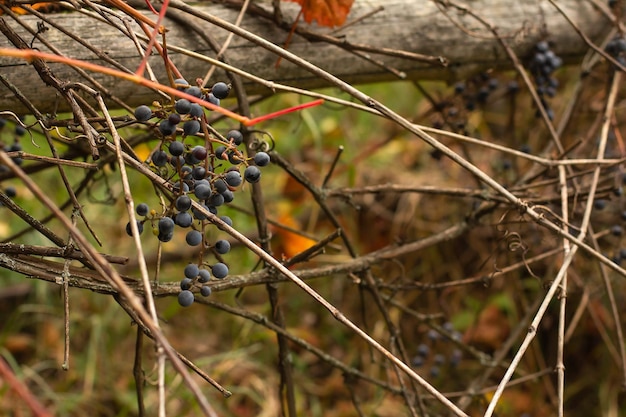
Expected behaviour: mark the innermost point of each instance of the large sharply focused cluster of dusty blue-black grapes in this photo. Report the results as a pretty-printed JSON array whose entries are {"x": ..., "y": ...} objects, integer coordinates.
[{"x": 207, "y": 173}]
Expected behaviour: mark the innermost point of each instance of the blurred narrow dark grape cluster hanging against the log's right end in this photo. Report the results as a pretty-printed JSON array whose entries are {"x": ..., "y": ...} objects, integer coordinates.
[{"x": 542, "y": 66}]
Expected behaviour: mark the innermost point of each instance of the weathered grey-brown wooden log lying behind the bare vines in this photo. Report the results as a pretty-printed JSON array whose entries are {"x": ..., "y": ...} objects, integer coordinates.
[{"x": 404, "y": 25}]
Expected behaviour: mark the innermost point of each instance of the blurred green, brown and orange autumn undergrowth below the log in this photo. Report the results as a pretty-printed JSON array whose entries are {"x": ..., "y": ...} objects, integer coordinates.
[{"x": 456, "y": 306}]
